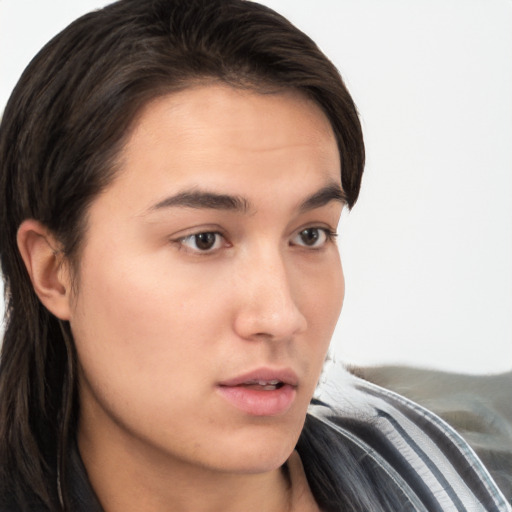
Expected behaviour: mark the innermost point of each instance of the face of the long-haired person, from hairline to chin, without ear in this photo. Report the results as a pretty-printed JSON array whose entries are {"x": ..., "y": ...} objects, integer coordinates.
[{"x": 210, "y": 283}]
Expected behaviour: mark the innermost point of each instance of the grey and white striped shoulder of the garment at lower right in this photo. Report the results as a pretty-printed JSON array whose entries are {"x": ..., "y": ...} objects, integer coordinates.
[{"x": 422, "y": 455}]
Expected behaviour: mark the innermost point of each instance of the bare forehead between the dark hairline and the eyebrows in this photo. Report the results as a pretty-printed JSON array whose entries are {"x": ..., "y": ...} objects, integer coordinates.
[{"x": 224, "y": 138}]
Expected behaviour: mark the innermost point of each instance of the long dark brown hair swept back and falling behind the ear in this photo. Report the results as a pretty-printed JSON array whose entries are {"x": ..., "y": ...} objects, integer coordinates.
[{"x": 61, "y": 131}]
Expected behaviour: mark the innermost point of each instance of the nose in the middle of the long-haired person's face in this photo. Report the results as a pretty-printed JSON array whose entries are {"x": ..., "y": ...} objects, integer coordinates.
[{"x": 268, "y": 306}]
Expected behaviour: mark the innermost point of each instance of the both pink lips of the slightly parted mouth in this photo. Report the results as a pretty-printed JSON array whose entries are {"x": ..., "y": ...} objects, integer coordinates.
[{"x": 259, "y": 402}]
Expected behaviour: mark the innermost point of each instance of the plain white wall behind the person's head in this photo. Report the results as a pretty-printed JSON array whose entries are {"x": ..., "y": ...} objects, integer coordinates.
[{"x": 427, "y": 250}]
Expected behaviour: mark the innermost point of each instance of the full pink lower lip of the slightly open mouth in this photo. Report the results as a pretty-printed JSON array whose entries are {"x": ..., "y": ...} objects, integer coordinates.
[{"x": 257, "y": 402}]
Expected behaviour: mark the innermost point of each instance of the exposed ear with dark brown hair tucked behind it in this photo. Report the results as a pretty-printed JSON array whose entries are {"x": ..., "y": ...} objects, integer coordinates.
[{"x": 46, "y": 267}]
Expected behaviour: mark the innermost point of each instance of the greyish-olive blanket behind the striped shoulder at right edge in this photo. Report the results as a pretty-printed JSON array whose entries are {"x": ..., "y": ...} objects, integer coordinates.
[{"x": 478, "y": 407}]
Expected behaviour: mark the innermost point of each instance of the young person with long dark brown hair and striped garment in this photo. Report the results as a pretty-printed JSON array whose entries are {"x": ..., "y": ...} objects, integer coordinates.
[{"x": 173, "y": 173}]
